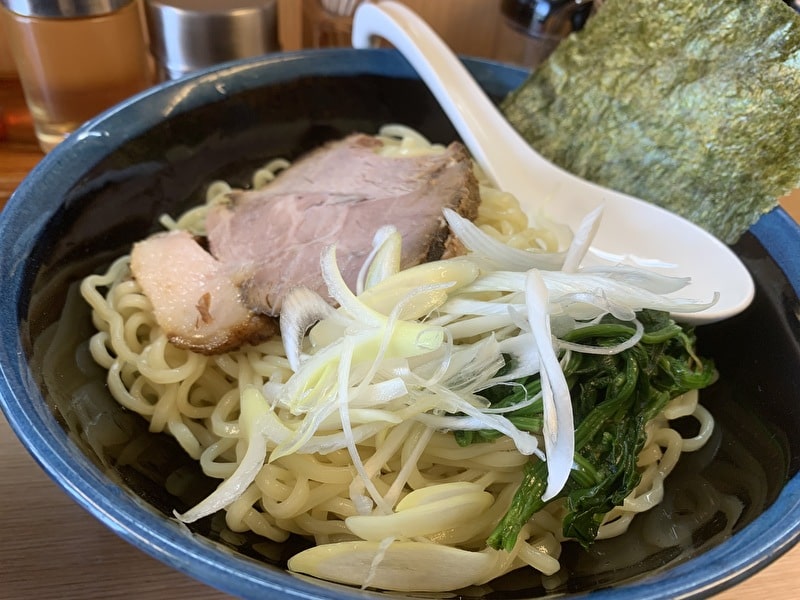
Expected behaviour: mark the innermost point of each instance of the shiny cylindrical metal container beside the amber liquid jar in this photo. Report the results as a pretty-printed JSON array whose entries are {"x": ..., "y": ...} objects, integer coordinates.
[{"x": 190, "y": 34}]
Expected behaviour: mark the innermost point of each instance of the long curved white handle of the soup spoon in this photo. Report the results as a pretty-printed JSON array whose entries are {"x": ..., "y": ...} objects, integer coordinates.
[{"x": 496, "y": 146}]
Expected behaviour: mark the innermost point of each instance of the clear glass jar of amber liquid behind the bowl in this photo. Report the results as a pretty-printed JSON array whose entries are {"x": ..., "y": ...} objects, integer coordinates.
[{"x": 72, "y": 69}]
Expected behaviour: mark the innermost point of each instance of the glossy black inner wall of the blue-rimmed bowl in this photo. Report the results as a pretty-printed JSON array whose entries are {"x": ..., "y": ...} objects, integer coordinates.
[{"x": 165, "y": 170}]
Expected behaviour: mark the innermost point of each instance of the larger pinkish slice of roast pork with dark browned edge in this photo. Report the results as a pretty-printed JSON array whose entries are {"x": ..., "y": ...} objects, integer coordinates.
[{"x": 342, "y": 193}]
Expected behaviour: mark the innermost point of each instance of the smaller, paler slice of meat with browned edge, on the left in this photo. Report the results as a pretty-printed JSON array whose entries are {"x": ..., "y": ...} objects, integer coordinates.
[{"x": 194, "y": 299}]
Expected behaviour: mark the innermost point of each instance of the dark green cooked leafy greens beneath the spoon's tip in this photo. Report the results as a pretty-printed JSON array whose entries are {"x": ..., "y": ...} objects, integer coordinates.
[{"x": 613, "y": 398}]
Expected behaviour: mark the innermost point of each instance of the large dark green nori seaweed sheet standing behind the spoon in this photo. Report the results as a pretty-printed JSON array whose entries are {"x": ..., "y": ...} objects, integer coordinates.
[{"x": 692, "y": 105}]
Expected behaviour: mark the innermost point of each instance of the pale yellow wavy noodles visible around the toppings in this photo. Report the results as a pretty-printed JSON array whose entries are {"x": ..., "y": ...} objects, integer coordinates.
[{"x": 196, "y": 399}]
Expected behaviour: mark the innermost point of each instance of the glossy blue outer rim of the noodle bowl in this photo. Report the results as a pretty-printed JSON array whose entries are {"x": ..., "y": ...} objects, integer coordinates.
[{"x": 29, "y": 209}]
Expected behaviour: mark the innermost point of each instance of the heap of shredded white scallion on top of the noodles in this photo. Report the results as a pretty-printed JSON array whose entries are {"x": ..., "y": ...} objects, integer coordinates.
[{"x": 417, "y": 346}]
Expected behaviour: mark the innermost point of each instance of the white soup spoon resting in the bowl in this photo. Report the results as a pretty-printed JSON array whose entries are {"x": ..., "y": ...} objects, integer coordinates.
[{"x": 632, "y": 230}]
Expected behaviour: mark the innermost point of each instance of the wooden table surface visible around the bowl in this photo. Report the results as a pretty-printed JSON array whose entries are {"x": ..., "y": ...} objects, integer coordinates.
[{"x": 52, "y": 548}]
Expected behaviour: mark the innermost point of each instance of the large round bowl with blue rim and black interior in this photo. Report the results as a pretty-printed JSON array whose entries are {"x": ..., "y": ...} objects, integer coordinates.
[{"x": 105, "y": 187}]
